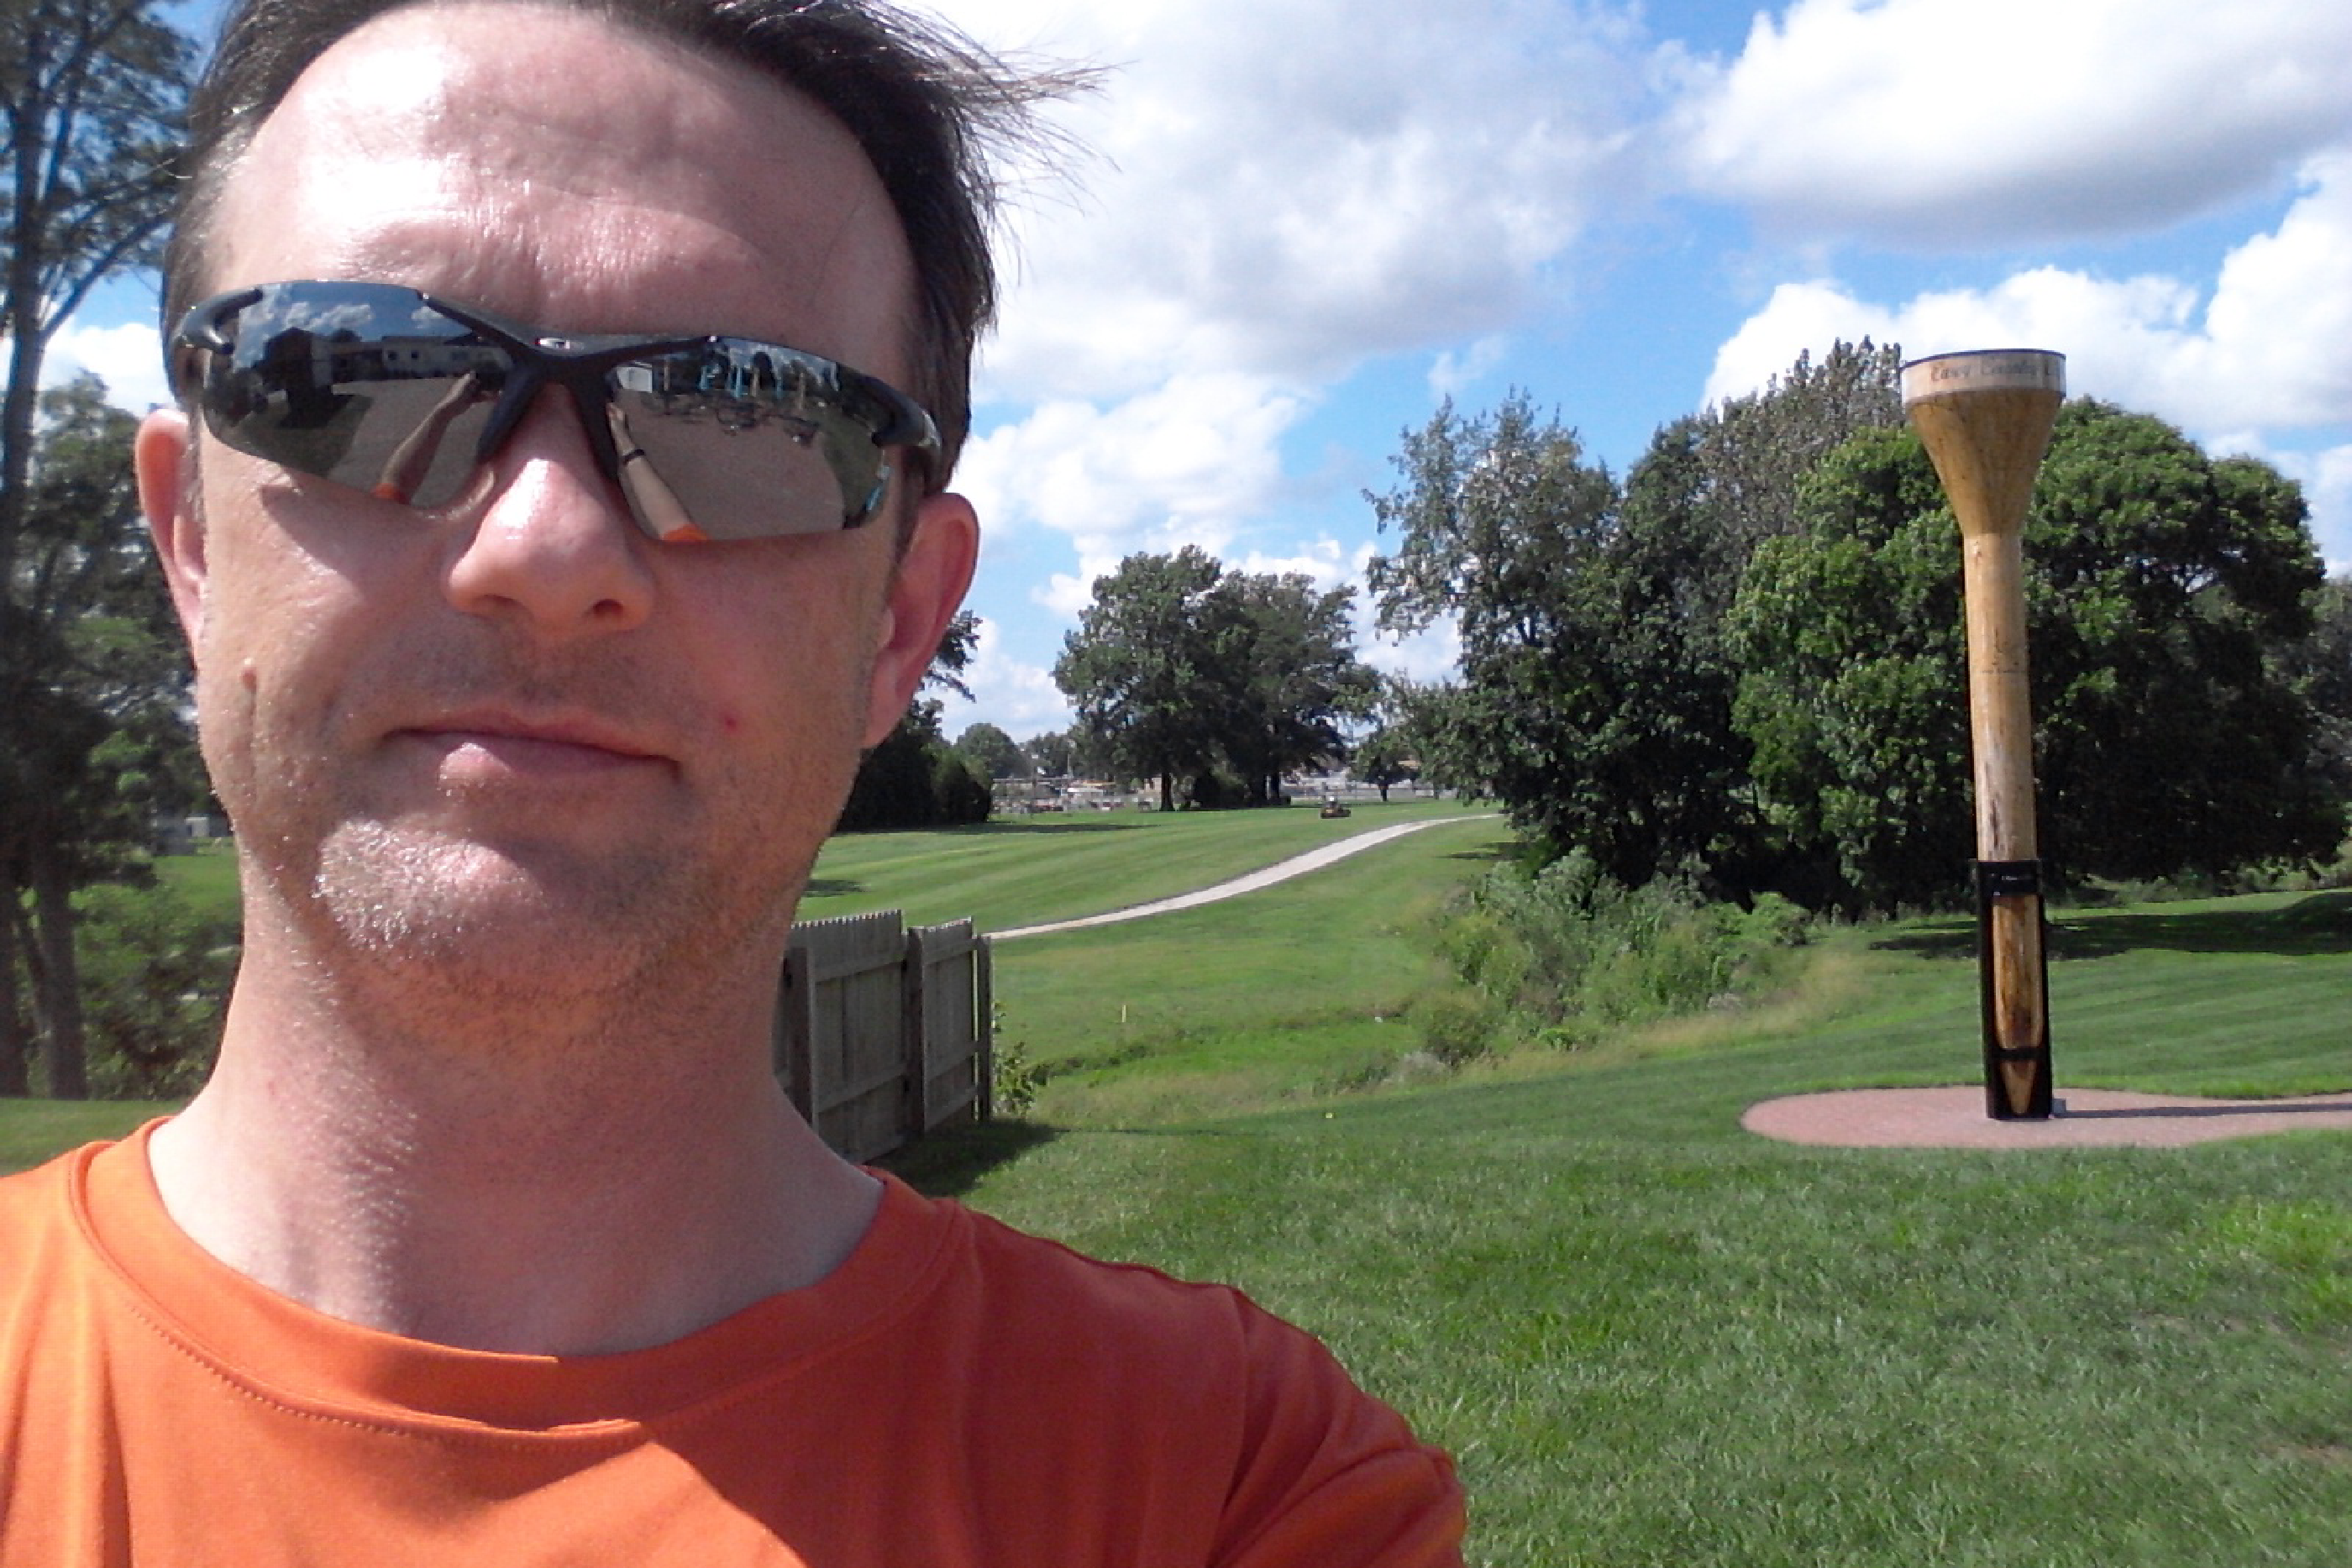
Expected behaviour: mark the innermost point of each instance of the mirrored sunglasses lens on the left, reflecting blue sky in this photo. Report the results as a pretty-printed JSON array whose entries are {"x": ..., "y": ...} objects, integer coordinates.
[{"x": 361, "y": 384}]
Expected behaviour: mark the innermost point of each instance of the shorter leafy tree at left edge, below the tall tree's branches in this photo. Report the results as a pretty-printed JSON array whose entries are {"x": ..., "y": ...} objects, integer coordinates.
[{"x": 93, "y": 735}]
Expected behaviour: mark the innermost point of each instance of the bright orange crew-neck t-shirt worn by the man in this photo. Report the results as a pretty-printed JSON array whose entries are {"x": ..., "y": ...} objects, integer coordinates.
[{"x": 956, "y": 1395}]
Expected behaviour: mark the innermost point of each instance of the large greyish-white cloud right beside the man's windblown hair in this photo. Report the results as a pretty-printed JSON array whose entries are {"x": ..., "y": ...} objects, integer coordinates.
[{"x": 1288, "y": 189}]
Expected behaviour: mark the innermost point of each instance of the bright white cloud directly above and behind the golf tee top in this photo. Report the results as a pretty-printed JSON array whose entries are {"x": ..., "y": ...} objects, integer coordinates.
[{"x": 2264, "y": 347}]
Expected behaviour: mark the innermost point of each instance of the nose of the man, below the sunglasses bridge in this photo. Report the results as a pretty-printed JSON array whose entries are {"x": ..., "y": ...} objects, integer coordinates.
[{"x": 554, "y": 547}]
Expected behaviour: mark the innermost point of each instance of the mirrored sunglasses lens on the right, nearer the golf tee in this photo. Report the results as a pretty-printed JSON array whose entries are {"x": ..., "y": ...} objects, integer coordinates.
[{"x": 744, "y": 441}]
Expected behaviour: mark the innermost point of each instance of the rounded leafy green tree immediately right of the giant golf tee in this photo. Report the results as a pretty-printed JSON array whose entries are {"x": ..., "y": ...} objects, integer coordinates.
[{"x": 2177, "y": 594}]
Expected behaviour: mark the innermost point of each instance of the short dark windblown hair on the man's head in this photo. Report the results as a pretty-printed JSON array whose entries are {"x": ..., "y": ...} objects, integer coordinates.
[{"x": 933, "y": 112}]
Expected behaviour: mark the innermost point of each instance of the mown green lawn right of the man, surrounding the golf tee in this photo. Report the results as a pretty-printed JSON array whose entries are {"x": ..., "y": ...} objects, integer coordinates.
[{"x": 1650, "y": 1336}]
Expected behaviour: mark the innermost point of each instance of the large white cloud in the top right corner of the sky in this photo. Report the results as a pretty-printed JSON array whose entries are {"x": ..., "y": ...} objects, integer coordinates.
[{"x": 1979, "y": 123}]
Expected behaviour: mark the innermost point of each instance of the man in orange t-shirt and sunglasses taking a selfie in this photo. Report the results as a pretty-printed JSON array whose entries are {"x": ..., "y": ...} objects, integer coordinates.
[{"x": 493, "y": 1240}]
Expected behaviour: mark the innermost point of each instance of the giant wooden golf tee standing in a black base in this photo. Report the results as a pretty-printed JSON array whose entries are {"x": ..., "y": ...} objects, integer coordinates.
[{"x": 1986, "y": 422}]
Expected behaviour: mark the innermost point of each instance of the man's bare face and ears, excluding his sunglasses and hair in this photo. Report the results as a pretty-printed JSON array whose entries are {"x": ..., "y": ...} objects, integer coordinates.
[{"x": 516, "y": 739}]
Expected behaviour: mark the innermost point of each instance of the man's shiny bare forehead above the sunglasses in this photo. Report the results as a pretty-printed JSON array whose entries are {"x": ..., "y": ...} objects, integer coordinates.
[{"x": 552, "y": 154}]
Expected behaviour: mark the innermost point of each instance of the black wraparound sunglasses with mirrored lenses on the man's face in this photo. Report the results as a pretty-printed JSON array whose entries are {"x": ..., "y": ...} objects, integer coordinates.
[{"x": 408, "y": 398}]
